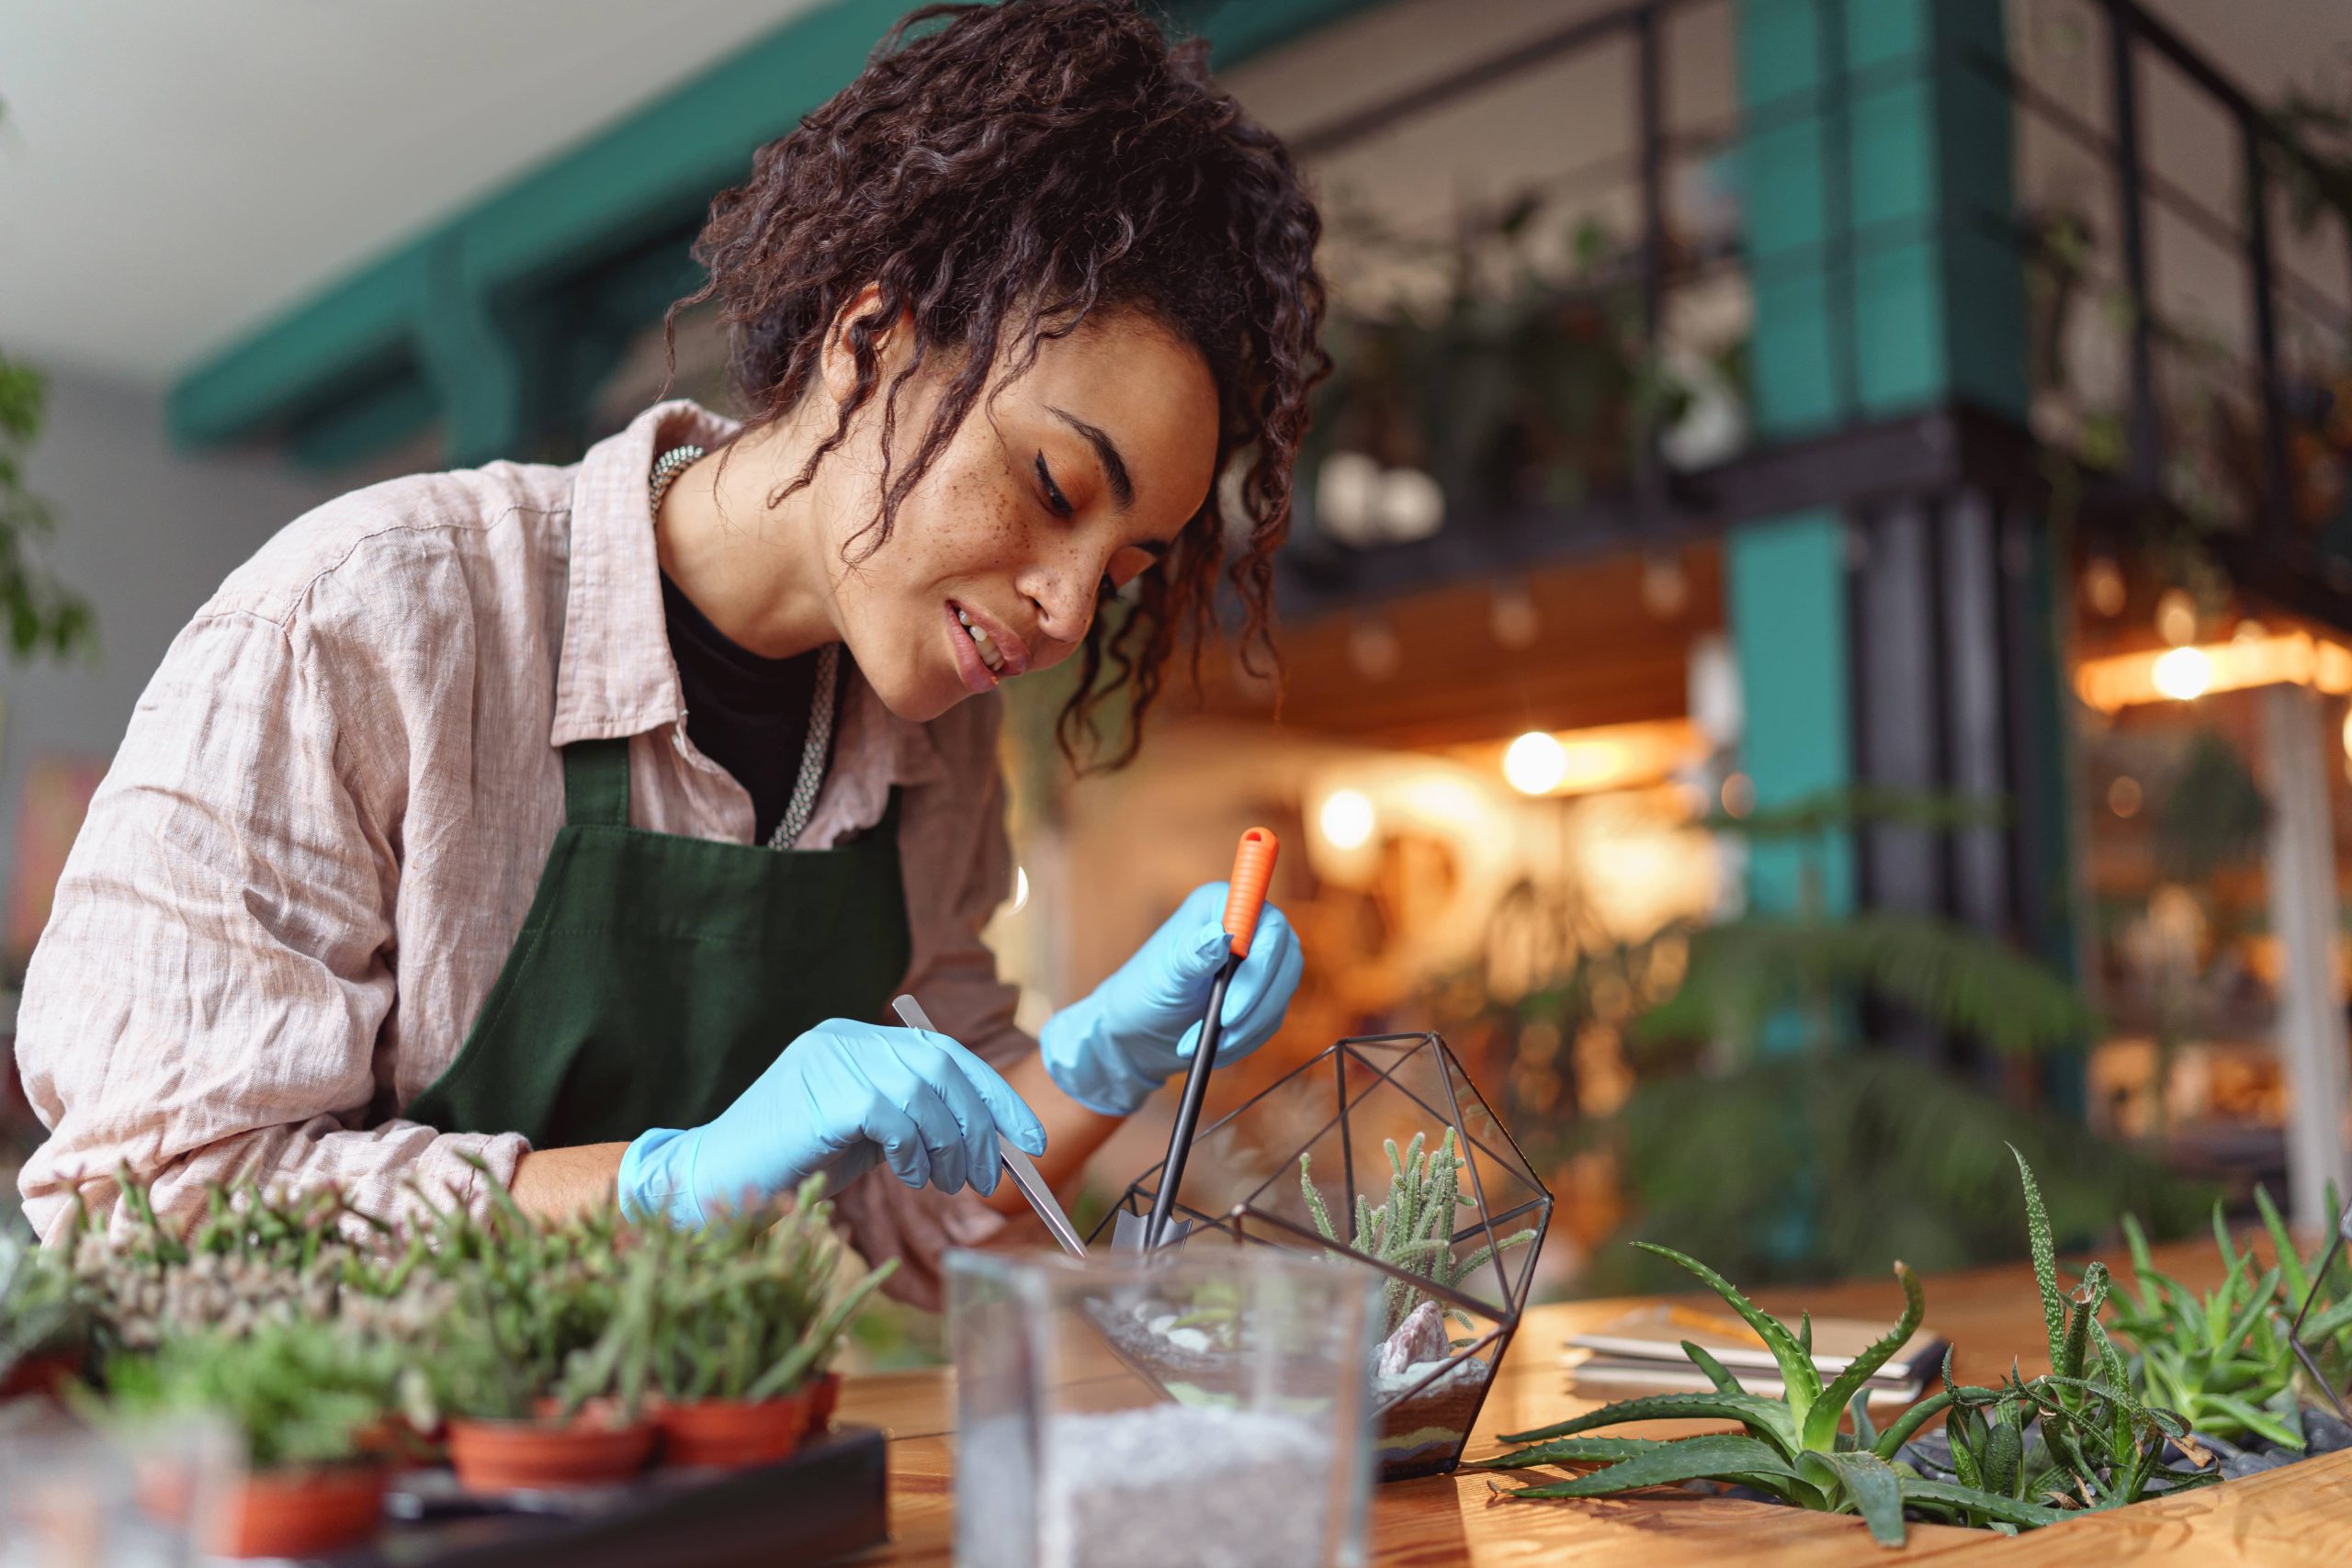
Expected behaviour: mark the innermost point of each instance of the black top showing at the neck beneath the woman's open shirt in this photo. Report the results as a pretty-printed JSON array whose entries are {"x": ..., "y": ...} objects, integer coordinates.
[{"x": 747, "y": 713}]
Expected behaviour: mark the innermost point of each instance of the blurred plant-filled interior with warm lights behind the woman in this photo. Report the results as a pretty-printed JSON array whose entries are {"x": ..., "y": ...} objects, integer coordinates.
[{"x": 1819, "y": 631}]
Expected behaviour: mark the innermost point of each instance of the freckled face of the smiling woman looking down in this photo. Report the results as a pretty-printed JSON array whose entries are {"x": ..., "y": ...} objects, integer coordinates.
[{"x": 1055, "y": 492}]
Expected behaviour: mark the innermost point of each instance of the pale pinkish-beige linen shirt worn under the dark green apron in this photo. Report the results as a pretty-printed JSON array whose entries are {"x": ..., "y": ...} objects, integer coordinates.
[{"x": 326, "y": 824}]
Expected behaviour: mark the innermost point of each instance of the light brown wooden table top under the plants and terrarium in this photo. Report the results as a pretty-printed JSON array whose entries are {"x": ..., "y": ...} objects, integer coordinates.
[{"x": 2294, "y": 1515}]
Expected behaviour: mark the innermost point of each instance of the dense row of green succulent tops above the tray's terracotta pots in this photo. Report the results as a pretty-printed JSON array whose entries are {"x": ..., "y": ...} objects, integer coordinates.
[{"x": 497, "y": 1315}]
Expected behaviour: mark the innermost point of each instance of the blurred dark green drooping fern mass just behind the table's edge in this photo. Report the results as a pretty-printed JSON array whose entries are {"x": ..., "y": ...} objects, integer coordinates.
[{"x": 1845, "y": 1162}]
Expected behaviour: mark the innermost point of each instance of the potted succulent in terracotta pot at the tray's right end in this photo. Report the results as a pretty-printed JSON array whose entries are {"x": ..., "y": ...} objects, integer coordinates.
[{"x": 744, "y": 1332}]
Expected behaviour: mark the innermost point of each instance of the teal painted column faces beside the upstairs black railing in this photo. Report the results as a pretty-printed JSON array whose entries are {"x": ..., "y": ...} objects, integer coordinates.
[{"x": 1876, "y": 185}]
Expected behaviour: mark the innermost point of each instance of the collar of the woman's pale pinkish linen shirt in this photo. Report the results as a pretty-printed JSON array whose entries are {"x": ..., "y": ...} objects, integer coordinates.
[{"x": 615, "y": 674}]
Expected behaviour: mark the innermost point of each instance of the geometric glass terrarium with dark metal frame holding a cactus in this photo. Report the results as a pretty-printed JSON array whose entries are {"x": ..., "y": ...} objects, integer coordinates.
[{"x": 1382, "y": 1153}]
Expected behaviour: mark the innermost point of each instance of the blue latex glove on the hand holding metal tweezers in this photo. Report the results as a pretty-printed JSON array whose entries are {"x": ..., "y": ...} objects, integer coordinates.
[{"x": 841, "y": 1099}]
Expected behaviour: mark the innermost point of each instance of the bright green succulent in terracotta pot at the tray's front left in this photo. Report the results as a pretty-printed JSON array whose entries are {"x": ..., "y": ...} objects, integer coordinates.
[{"x": 309, "y": 1405}]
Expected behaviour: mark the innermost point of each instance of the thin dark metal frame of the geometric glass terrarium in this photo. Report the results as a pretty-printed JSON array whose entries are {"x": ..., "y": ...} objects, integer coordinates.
[{"x": 1248, "y": 1224}]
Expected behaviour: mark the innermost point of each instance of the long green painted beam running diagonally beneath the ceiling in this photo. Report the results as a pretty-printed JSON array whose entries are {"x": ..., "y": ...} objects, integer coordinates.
[{"x": 446, "y": 297}]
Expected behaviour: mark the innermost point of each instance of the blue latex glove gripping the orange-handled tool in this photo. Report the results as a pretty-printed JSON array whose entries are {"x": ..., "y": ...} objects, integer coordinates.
[{"x": 1140, "y": 1026}]
